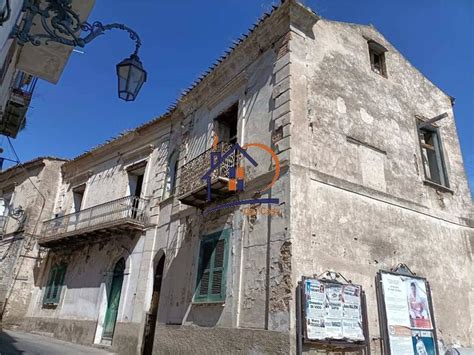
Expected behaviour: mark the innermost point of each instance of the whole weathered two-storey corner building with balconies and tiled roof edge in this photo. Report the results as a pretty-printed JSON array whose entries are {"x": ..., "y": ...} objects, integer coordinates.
[{"x": 325, "y": 127}]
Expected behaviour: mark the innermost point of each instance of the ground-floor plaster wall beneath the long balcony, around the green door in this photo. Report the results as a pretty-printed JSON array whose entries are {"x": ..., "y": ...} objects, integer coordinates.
[{"x": 88, "y": 276}]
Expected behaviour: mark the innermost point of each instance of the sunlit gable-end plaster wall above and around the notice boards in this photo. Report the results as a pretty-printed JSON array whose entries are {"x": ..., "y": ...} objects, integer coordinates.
[{"x": 358, "y": 201}]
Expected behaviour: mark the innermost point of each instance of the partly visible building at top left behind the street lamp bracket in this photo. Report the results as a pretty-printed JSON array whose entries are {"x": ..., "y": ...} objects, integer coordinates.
[{"x": 22, "y": 65}]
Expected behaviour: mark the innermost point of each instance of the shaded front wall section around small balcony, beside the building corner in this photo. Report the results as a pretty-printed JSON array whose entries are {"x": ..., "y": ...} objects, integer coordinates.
[{"x": 259, "y": 250}]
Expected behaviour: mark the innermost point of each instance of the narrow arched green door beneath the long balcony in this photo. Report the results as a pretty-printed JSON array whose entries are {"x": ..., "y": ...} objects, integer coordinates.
[{"x": 113, "y": 301}]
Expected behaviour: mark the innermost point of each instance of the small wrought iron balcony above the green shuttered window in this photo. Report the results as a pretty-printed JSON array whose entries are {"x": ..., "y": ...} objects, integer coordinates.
[{"x": 192, "y": 189}]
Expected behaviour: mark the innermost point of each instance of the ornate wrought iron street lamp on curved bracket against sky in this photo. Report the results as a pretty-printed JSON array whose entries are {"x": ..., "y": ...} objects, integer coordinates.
[{"x": 61, "y": 24}]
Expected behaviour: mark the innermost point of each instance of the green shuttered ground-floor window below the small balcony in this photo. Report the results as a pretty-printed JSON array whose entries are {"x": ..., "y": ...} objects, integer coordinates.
[{"x": 212, "y": 241}]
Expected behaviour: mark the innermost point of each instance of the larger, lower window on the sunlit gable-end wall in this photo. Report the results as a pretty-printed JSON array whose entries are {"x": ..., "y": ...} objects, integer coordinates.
[{"x": 432, "y": 155}]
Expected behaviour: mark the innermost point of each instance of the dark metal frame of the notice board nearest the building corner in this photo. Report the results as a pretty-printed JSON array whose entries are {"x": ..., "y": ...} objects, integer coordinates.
[{"x": 330, "y": 344}]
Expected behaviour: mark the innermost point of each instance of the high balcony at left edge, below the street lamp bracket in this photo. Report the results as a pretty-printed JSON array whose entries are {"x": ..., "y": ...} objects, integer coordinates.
[{"x": 13, "y": 118}]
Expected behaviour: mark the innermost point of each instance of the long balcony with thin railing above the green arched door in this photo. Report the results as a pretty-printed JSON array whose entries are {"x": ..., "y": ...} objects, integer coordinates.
[{"x": 125, "y": 215}]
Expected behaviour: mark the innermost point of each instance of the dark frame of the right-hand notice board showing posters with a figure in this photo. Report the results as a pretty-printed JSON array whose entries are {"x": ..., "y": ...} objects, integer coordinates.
[{"x": 401, "y": 270}]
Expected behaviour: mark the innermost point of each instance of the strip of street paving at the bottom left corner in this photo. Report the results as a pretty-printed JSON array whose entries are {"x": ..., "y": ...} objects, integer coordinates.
[{"x": 16, "y": 342}]
